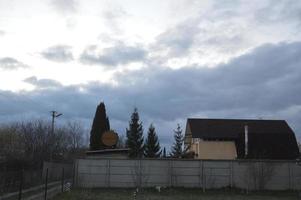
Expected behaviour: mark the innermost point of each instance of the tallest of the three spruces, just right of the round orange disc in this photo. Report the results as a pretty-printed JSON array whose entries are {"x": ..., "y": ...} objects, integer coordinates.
[{"x": 134, "y": 136}]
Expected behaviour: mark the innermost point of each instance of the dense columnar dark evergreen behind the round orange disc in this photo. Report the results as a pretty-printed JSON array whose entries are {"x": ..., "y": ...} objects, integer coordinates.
[{"x": 100, "y": 125}]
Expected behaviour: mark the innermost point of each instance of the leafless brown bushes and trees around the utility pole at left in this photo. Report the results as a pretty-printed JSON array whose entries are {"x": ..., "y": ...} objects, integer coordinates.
[{"x": 28, "y": 144}]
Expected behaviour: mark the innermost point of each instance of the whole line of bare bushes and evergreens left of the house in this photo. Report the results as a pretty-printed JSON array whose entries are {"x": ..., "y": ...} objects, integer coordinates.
[{"x": 27, "y": 144}]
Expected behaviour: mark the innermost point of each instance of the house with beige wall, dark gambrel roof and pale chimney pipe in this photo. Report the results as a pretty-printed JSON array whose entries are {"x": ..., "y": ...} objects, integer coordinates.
[{"x": 240, "y": 139}]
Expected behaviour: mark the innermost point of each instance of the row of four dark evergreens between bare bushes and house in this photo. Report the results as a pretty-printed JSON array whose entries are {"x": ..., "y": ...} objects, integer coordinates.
[{"x": 139, "y": 146}]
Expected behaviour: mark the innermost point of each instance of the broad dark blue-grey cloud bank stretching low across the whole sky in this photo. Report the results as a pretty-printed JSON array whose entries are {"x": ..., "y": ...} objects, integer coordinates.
[{"x": 263, "y": 83}]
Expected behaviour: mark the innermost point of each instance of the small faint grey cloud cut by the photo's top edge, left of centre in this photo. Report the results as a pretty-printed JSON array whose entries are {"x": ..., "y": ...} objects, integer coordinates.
[{"x": 65, "y": 6}]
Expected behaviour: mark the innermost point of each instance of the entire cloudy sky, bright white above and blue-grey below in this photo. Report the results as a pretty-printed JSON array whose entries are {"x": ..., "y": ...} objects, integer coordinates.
[{"x": 172, "y": 59}]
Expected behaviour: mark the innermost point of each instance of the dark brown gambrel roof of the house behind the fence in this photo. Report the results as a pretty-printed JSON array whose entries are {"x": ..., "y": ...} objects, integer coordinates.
[{"x": 272, "y": 139}]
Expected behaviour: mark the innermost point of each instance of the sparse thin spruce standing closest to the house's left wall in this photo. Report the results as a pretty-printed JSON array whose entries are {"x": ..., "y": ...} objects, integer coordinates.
[{"x": 177, "y": 147}]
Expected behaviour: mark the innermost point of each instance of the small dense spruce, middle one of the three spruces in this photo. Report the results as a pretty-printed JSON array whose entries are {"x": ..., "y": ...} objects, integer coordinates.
[{"x": 152, "y": 146}]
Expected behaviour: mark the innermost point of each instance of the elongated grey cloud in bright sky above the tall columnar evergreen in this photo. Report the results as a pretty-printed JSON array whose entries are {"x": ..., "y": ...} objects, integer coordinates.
[{"x": 120, "y": 53}]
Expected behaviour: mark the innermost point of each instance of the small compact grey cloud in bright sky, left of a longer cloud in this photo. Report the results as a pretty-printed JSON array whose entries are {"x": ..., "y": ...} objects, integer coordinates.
[{"x": 59, "y": 53}]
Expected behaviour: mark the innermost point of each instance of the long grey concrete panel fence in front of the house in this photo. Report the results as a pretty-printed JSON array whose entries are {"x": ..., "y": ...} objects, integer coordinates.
[{"x": 205, "y": 174}]
